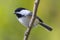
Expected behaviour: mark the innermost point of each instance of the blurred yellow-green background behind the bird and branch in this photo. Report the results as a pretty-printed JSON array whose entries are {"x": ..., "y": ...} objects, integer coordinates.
[{"x": 11, "y": 29}]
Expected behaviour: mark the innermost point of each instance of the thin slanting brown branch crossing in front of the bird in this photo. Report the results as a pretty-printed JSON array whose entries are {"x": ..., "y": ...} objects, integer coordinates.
[{"x": 36, "y": 3}]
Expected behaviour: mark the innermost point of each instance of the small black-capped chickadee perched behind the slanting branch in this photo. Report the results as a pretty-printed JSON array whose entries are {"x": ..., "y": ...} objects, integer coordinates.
[{"x": 24, "y": 16}]
